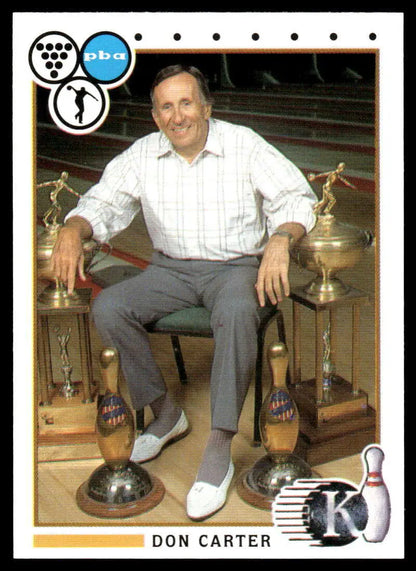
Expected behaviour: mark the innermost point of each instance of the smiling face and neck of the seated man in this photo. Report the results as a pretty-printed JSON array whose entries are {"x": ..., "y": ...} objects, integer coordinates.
[{"x": 180, "y": 113}]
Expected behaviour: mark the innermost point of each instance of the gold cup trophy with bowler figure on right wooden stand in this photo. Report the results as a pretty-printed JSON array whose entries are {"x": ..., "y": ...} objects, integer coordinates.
[{"x": 331, "y": 246}]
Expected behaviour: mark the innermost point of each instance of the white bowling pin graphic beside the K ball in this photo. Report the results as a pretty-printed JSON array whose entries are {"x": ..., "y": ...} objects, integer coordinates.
[{"x": 376, "y": 495}]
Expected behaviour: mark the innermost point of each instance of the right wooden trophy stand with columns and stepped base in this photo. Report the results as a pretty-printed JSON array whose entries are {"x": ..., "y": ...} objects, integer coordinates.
[{"x": 336, "y": 417}]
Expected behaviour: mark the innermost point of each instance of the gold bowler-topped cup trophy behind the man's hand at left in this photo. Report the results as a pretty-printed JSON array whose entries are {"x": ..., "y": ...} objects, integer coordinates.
[{"x": 56, "y": 294}]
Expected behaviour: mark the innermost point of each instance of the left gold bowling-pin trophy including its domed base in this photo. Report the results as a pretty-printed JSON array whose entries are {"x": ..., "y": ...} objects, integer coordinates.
[{"x": 118, "y": 488}]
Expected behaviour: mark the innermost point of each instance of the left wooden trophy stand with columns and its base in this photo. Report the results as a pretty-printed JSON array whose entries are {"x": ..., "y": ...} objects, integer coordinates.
[{"x": 66, "y": 405}]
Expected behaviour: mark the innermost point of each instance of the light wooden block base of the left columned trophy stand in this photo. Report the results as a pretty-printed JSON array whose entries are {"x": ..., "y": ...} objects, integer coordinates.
[{"x": 67, "y": 420}]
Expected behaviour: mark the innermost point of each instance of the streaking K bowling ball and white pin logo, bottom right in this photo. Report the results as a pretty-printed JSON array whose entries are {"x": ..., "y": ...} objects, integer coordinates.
[{"x": 335, "y": 512}]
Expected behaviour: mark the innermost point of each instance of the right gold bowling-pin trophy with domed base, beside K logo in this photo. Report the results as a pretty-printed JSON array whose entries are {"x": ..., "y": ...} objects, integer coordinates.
[{"x": 279, "y": 429}]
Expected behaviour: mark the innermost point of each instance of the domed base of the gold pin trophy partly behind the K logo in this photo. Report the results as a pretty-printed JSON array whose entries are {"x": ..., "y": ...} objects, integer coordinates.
[{"x": 259, "y": 486}]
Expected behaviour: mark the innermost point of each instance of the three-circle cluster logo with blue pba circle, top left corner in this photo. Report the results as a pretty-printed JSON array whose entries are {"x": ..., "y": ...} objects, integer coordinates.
[{"x": 78, "y": 78}]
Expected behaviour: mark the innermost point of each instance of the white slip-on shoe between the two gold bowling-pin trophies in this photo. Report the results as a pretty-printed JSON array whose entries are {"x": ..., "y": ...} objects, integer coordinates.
[{"x": 204, "y": 499}]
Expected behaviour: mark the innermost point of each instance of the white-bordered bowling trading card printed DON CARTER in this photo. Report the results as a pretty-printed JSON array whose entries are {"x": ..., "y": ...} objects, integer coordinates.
[{"x": 208, "y": 285}]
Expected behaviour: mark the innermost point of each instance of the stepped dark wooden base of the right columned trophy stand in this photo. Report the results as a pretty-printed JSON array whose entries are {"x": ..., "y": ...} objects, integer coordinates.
[{"x": 334, "y": 430}]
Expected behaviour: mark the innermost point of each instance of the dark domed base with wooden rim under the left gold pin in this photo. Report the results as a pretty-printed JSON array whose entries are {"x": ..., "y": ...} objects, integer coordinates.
[{"x": 119, "y": 493}]
